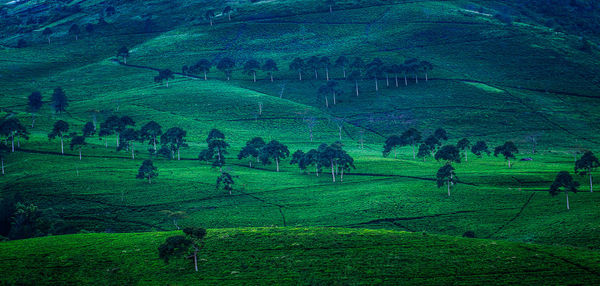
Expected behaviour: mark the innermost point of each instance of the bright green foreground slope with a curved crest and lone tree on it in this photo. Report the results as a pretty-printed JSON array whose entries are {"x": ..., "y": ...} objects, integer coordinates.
[{"x": 295, "y": 256}]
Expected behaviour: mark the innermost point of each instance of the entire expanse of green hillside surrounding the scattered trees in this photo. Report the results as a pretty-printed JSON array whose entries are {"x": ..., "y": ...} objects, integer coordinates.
[{"x": 491, "y": 81}]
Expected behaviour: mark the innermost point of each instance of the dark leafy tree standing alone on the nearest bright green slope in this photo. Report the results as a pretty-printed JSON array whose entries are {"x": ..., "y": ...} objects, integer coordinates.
[{"x": 186, "y": 246}]
